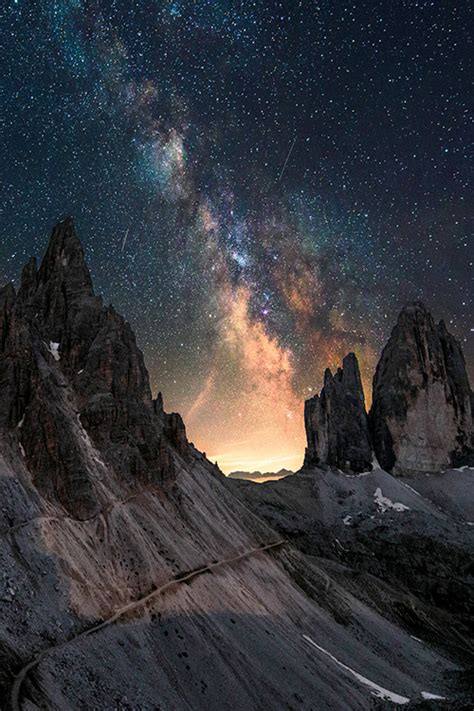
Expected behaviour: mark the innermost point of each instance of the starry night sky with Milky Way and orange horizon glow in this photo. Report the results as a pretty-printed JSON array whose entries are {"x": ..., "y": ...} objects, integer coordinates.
[{"x": 259, "y": 186}]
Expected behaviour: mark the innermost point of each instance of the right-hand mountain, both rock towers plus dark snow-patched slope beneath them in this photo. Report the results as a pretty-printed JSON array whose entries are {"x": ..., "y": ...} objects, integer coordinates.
[{"x": 403, "y": 536}]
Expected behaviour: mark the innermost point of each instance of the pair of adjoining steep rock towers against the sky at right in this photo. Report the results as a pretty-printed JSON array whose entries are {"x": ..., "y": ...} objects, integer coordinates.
[{"x": 421, "y": 416}]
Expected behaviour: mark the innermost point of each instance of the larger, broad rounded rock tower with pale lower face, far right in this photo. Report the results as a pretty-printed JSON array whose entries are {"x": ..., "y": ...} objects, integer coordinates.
[{"x": 421, "y": 417}]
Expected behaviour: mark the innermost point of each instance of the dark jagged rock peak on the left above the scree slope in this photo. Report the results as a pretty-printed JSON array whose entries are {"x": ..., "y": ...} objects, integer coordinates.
[{"x": 75, "y": 397}]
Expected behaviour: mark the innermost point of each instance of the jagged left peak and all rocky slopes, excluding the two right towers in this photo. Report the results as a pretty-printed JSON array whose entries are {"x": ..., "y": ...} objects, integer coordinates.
[{"x": 134, "y": 575}]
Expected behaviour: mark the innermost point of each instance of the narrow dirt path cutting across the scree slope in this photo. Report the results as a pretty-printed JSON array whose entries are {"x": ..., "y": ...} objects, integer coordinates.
[{"x": 130, "y": 607}]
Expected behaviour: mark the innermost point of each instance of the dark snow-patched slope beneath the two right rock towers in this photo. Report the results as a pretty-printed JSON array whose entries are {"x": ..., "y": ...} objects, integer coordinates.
[{"x": 415, "y": 535}]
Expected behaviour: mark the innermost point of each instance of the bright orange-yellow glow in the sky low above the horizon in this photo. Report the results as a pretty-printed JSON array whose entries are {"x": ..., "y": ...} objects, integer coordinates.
[{"x": 258, "y": 424}]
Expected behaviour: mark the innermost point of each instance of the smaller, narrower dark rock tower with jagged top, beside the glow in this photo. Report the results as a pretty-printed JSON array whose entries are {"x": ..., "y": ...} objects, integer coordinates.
[{"x": 336, "y": 421}]
